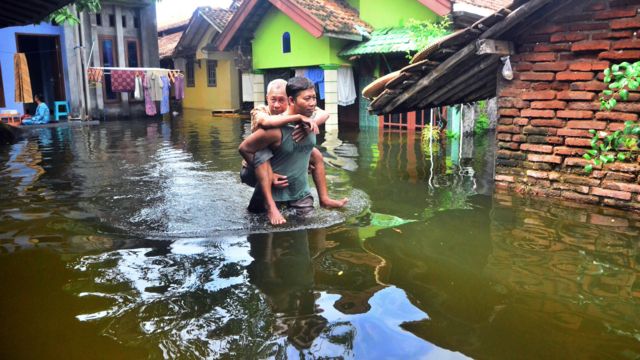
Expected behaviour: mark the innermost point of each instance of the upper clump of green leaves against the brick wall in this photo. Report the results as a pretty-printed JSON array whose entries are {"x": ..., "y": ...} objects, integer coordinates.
[{"x": 621, "y": 78}]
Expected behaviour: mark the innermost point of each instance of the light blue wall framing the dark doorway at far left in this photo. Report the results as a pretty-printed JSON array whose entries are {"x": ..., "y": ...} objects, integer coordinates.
[{"x": 8, "y": 49}]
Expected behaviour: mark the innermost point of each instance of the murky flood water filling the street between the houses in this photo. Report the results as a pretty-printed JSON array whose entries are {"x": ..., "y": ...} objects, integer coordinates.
[{"x": 130, "y": 240}]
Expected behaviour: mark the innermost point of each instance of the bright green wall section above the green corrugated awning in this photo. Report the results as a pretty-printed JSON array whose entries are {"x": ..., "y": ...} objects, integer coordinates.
[{"x": 383, "y": 13}]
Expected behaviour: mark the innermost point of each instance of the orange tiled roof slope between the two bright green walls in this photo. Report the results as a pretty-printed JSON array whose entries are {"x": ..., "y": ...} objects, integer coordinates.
[{"x": 336, "y": 16}]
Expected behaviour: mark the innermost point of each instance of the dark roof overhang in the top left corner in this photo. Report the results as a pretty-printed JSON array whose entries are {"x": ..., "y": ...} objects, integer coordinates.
[{"x": 24, "y": 12}]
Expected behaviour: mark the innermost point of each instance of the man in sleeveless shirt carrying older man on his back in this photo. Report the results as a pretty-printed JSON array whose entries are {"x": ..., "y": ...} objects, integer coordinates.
[{"x": 275, "y": 147}]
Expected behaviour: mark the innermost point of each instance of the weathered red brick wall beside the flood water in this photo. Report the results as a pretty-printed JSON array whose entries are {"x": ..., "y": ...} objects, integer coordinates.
[{"x": 547, "y": 110}]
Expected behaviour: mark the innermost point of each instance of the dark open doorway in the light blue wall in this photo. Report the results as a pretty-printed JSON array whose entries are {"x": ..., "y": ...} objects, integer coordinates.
[{"x": 45, "y": 67}]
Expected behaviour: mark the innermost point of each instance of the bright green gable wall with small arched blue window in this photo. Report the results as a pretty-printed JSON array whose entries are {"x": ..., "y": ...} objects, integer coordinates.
[{"x": 306, "y": 50}]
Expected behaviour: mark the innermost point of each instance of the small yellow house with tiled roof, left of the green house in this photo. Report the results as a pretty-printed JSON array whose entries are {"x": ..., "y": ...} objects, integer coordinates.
[{"x": 212, "y": 78}]
